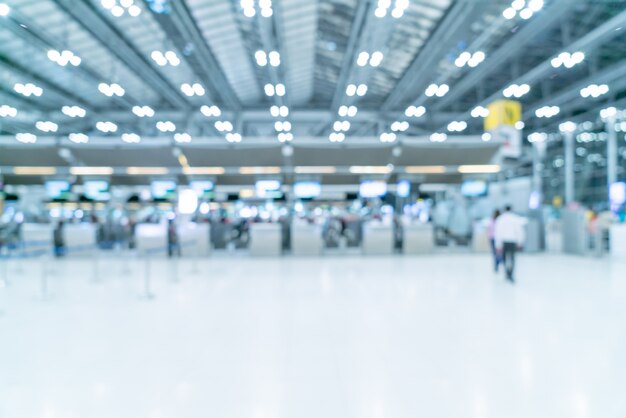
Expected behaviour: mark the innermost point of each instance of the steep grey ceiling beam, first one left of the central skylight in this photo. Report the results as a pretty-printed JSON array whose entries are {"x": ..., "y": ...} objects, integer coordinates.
[{"x": 182, "y": 30}]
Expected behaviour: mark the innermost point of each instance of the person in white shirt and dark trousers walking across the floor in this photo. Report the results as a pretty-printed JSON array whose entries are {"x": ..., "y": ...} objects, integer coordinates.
[{"x": 509, "y": 236}]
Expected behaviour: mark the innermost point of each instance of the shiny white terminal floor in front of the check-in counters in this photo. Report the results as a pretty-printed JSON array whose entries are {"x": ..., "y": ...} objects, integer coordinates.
[{"x": 354, "y": 337}]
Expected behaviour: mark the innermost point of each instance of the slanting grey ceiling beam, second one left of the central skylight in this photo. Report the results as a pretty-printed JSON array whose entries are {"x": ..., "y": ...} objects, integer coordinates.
[{"x": 92, "y": 21}]
